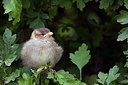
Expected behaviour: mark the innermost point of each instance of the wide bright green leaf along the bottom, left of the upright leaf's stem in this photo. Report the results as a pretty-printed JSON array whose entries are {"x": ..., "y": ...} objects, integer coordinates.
[{"x": 64, "y": 78}]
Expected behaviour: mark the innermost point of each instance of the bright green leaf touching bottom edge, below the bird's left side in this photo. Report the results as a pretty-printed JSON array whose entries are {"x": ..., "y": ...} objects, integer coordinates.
[{"x": 26, "y": 80}]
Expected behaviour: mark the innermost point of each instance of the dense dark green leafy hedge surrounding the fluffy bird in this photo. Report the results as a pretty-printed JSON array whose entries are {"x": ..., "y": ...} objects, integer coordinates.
[{"x": 93, "y": 34}]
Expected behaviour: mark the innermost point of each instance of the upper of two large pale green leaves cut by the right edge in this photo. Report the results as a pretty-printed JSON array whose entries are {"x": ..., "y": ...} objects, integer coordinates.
[{"x": 122, "y": 18}]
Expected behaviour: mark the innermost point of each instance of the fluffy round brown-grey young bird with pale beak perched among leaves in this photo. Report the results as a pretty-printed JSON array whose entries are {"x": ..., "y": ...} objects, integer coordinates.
[{"x": 41, "y": 49}]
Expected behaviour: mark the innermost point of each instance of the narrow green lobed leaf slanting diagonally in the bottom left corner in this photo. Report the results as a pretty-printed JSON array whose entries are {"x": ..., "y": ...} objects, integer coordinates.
[{"x": 12, "y": 76}]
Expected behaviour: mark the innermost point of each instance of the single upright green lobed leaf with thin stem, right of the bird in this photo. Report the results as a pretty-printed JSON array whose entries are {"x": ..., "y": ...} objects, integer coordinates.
[{"x": 80, "y": 57}]
